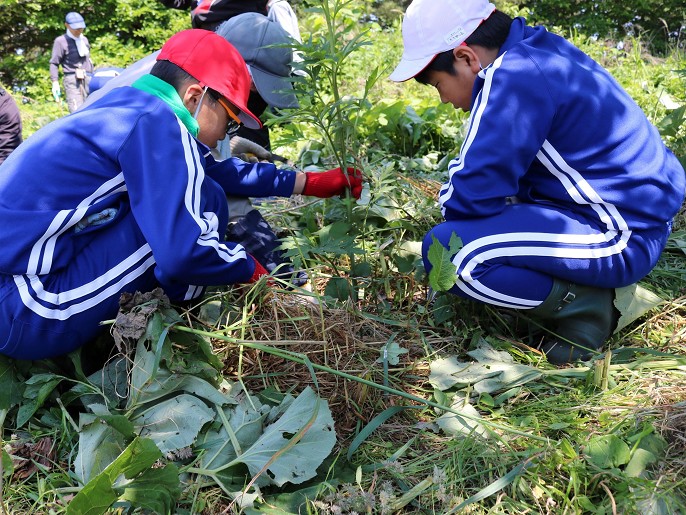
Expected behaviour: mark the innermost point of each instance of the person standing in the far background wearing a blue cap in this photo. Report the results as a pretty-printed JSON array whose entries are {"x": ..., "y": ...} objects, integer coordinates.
[{"x": 71, "y": 51}]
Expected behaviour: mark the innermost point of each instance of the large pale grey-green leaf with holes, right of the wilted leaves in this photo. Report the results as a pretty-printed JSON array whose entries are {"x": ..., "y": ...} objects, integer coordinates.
[{"x": 298, "y": 462}]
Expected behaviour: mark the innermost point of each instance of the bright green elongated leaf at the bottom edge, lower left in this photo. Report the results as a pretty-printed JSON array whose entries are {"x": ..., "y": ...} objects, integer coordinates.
[{"x": 99, "y": 494}]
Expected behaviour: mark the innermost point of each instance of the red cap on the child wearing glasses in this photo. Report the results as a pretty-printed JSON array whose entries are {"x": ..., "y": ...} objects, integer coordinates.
[{"x": 214, "y": 62}]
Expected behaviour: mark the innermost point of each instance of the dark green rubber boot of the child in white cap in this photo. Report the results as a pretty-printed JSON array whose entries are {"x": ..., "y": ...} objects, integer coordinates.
[{"x": 581, "y": 319}]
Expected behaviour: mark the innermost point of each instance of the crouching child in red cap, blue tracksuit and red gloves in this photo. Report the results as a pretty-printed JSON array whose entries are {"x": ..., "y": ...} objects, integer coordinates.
[{"x": 124, "y": 196}]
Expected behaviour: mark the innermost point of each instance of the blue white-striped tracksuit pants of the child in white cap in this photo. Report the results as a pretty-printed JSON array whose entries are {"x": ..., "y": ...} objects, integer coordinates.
[{"x": 511, "y": 259}]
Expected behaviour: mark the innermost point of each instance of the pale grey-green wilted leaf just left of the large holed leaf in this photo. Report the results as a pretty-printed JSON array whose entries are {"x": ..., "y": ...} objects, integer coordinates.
[{"x": 175, "y": 423}]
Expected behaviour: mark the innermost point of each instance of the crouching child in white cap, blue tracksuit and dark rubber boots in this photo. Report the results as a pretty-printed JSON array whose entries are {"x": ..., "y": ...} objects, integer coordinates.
[{"x": 562, "y": 190}]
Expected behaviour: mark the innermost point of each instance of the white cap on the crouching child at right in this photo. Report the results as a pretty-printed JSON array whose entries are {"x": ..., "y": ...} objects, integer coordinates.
[{"x": 434, "y": 26}]
